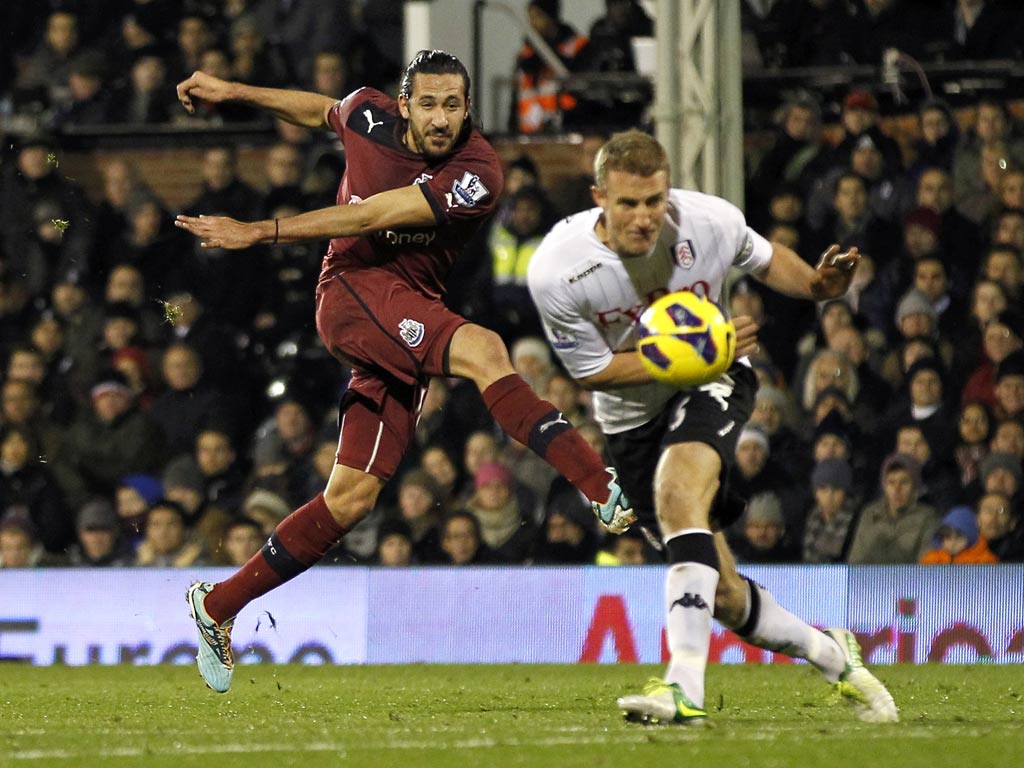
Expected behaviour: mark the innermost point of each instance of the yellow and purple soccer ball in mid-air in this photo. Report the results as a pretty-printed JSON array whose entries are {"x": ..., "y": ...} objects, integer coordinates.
[{"x": 685, "y": 339}]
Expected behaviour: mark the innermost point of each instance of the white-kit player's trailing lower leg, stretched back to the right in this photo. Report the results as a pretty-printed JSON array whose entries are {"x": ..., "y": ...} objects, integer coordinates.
[{"x": 751, "y": 612}]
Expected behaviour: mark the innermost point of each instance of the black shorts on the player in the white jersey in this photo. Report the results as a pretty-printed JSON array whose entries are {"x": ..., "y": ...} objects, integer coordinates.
[{"x": 713, "y": 414}]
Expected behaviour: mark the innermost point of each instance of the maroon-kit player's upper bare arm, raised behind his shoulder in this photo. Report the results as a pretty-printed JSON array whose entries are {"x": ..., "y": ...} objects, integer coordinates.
[{"x": 301, "y": 108}]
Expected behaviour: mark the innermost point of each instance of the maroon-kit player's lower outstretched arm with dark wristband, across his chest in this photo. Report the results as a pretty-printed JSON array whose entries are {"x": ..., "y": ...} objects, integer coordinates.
[{"x": 397, "y": 208}]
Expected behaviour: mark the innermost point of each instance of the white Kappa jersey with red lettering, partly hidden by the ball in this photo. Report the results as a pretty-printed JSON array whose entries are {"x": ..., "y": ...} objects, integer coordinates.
[{"x": 590, "y": 298}]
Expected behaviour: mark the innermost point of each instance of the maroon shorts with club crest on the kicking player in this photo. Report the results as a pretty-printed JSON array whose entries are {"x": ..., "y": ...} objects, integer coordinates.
[{"x": 396, "y": 339}]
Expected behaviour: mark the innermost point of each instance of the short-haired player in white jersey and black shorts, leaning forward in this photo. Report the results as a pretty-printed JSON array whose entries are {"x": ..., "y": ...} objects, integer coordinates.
[{"x": 591, "y": 279}]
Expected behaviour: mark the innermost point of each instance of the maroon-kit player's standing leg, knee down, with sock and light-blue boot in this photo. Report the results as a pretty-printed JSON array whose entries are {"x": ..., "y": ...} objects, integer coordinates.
[{"x": 301, "y": 541}]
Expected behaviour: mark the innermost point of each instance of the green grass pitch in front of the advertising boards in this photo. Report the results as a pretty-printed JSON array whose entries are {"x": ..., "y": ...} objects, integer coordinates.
[{"x": 495, "y": 716}]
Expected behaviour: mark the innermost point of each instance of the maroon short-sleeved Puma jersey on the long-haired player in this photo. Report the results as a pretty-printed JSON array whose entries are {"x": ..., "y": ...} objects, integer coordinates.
[{"x": 462, "y": 190}]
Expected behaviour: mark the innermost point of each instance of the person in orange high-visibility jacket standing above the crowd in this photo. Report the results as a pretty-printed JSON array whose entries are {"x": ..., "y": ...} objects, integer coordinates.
[{"x": 539, "y": 102}]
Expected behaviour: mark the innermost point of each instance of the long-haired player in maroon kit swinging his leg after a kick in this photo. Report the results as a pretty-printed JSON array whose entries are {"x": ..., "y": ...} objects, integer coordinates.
[{"x": 419, "y": 181}]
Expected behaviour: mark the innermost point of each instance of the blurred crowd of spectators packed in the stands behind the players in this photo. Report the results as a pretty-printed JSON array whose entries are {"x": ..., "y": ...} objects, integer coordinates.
[{"x": 162, "y": 407}]
